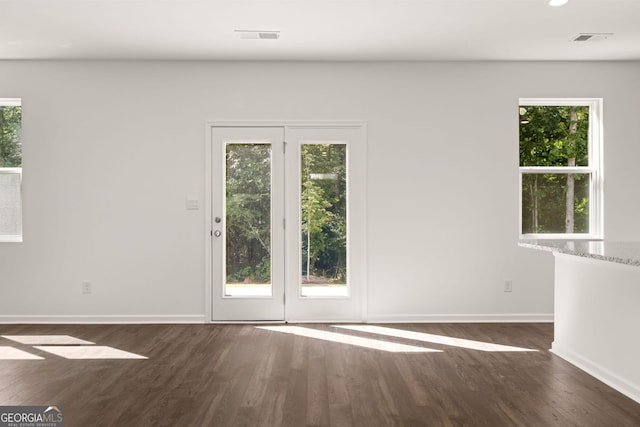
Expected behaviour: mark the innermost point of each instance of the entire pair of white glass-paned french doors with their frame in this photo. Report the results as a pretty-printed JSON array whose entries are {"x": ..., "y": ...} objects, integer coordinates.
[{"x": 287, "y": 219}]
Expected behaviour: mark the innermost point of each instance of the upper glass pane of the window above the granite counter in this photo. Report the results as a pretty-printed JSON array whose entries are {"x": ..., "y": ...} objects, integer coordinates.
[{"x": 554, "y": 135}]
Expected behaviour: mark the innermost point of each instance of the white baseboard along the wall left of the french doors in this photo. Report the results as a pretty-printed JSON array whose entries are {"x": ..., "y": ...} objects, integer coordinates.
[{"x": 102, "y": 319}]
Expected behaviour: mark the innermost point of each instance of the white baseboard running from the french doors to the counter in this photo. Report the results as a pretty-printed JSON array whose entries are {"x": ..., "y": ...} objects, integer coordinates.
[{"x": 462, "y": 318}]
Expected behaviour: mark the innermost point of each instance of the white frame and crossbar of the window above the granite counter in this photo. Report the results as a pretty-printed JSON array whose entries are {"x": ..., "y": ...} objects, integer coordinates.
[{"x": 594, "y": 169}]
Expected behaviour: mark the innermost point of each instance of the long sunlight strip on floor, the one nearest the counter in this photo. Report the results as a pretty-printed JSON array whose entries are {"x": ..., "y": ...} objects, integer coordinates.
[{"x": 434, "y": 339}]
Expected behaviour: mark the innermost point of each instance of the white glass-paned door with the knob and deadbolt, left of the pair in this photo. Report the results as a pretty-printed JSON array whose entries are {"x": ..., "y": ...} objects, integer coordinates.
[{"x": 247, "y": 224}]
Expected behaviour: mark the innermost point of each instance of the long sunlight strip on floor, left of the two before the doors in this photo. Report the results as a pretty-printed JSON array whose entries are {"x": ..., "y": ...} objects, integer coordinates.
[{"x": 348, "y": 339}]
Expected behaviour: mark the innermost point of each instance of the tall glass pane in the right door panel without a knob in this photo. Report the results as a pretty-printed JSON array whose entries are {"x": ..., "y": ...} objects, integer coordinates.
[{"x": 323, "y": 219}]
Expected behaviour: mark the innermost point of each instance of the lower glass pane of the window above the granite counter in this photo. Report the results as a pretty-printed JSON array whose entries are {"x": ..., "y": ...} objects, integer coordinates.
[{"x": 544, "y": 203}]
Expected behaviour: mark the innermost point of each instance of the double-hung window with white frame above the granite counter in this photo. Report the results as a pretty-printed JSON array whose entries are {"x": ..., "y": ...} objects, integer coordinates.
[{"x": 560, "y": 168}]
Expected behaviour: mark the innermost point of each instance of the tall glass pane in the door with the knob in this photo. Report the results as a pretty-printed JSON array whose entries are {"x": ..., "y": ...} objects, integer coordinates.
[{"x": 248, "y": 220}]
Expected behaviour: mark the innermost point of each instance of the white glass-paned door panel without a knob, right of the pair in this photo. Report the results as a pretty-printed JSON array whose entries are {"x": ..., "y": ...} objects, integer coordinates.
[{"x": 326, "y": 206}]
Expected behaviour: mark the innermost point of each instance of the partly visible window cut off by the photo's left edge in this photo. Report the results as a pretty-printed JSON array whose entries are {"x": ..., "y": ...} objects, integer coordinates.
[{"x": 10, "y": 170}]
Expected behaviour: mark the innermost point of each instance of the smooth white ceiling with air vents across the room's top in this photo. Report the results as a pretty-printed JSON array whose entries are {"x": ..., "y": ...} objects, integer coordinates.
[{"x": 318, "y": 30}]
